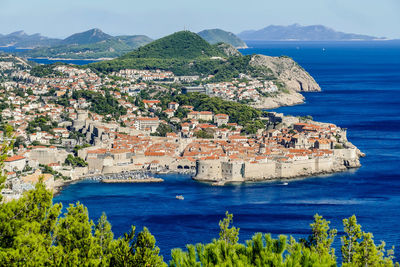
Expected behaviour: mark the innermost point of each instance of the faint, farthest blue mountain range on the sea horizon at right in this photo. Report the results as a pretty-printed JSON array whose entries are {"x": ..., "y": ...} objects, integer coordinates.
[{"x": 298, "y": 32}]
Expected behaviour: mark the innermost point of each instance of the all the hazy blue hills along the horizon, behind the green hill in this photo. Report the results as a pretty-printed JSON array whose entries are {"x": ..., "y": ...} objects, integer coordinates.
[{"x": 95, "y": 44}]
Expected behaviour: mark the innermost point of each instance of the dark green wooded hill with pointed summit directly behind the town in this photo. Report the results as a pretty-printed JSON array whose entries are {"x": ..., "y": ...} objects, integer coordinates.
[{"x": 184, "y": 53}]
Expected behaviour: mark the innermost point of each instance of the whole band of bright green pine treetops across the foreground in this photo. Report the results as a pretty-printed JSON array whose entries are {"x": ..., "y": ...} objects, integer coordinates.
[{"x": 34, "y": 233}]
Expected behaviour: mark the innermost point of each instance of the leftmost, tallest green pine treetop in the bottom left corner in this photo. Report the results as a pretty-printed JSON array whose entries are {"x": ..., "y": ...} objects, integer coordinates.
[{"x": 26, "y": 226}]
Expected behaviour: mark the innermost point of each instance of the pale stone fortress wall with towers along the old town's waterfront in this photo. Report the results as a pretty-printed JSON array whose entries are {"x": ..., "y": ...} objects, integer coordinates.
[{"x": 220, "y": 170}]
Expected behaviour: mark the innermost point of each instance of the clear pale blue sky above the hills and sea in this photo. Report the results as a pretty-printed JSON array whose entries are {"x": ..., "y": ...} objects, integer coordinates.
[{"x": 157, "y": 18}]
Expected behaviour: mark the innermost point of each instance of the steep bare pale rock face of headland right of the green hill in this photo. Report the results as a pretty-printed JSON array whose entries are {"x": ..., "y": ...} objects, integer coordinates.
[{"x": 288, "y": 71}]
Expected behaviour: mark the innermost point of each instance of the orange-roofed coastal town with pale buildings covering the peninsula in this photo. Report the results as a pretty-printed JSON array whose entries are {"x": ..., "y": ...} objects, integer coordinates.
[{"x": 71, "y": 123}]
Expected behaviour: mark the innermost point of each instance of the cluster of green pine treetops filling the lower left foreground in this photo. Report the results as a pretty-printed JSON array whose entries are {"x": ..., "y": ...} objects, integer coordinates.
[{"x": 34, "y": 234}]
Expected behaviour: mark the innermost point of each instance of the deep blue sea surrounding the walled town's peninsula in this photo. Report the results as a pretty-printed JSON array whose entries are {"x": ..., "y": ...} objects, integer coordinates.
[{"x": 361, "y": 91}]
